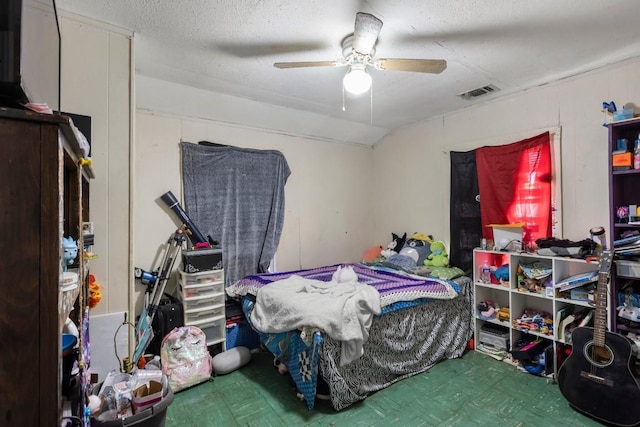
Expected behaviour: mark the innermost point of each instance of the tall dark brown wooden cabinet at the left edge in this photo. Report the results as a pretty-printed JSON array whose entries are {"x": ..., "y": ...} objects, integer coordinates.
[{"x": 43, "y": 193}]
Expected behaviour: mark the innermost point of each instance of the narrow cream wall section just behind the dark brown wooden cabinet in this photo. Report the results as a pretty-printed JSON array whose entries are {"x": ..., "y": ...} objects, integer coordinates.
[{"x": 95, "y": 81}]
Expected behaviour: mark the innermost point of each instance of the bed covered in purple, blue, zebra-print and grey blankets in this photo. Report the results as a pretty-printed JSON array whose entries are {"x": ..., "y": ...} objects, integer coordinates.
[{"x": 419, "y": 322}]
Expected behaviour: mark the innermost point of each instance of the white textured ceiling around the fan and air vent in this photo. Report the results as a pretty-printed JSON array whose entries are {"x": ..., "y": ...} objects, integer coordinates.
[{"x": 230, "y": 46}]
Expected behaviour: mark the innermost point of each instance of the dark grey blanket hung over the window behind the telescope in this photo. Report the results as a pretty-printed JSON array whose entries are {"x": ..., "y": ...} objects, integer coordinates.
[{"x": 236, "y": 196}]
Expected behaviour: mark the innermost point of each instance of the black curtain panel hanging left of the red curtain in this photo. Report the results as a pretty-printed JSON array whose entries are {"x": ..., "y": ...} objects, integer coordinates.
[{"x": 466, "y": 226}]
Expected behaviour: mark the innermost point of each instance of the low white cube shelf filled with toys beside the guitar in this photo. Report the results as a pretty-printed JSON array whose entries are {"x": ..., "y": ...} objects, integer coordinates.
[{"x": 509, "y": 293}]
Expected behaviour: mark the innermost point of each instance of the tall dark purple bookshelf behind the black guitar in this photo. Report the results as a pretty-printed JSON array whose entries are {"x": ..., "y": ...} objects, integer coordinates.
[{"x": 624, "y": 192}]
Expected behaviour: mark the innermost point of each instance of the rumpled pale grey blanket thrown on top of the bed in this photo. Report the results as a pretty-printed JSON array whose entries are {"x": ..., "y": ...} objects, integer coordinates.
[{"x": 344, "y": 311}]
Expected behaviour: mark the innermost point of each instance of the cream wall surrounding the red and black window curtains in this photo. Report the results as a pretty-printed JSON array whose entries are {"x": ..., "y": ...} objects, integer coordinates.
[{"x": 412, "y": 165}]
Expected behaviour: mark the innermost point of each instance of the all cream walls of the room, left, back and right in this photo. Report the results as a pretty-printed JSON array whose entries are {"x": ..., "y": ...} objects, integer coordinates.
[{"x": 341, "y": 198}]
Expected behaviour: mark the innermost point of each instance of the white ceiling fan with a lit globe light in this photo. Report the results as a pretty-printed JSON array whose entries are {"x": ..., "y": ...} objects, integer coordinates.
[{"x": 358, "y": 51}]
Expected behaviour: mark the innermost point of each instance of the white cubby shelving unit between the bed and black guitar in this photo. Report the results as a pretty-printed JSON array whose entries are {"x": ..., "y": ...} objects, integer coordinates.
[{"x": 508, "y": 294}]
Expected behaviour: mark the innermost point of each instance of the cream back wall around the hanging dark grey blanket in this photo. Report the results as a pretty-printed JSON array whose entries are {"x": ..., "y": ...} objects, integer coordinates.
[{"x": 328, "y": 216}]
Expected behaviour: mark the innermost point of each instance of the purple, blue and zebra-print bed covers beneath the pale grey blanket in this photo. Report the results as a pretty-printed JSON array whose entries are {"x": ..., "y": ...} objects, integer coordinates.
[{"x": 423, "y": 320}]
